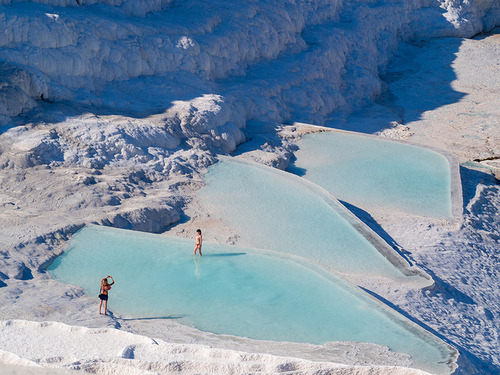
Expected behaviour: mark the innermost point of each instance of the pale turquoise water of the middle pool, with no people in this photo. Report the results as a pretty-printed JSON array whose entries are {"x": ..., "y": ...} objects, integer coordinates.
[{"x": 276, "y": 211}]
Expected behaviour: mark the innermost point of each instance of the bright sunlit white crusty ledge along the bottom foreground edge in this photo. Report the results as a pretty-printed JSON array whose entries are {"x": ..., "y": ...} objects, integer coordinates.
[{"x": 110, "y": 351}]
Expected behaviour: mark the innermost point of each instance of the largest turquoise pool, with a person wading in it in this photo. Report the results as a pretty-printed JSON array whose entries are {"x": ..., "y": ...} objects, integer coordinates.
[{"x": 236, "y": 291}]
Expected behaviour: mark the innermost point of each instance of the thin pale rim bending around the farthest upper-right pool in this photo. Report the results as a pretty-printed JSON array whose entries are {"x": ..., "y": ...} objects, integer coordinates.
[{"x": 456, "y": 182}]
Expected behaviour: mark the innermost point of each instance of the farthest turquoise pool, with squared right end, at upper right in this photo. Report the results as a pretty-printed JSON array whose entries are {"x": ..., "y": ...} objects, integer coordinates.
[{"x": 369, "y": 172}]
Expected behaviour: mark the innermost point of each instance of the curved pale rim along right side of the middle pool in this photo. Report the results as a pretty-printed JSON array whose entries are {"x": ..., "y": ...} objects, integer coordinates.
[{"x": 387, "y": 251}]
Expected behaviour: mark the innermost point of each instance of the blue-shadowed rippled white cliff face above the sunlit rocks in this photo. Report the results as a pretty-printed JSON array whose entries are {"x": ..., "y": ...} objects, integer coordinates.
[{"x": 276, "y": 59}]
